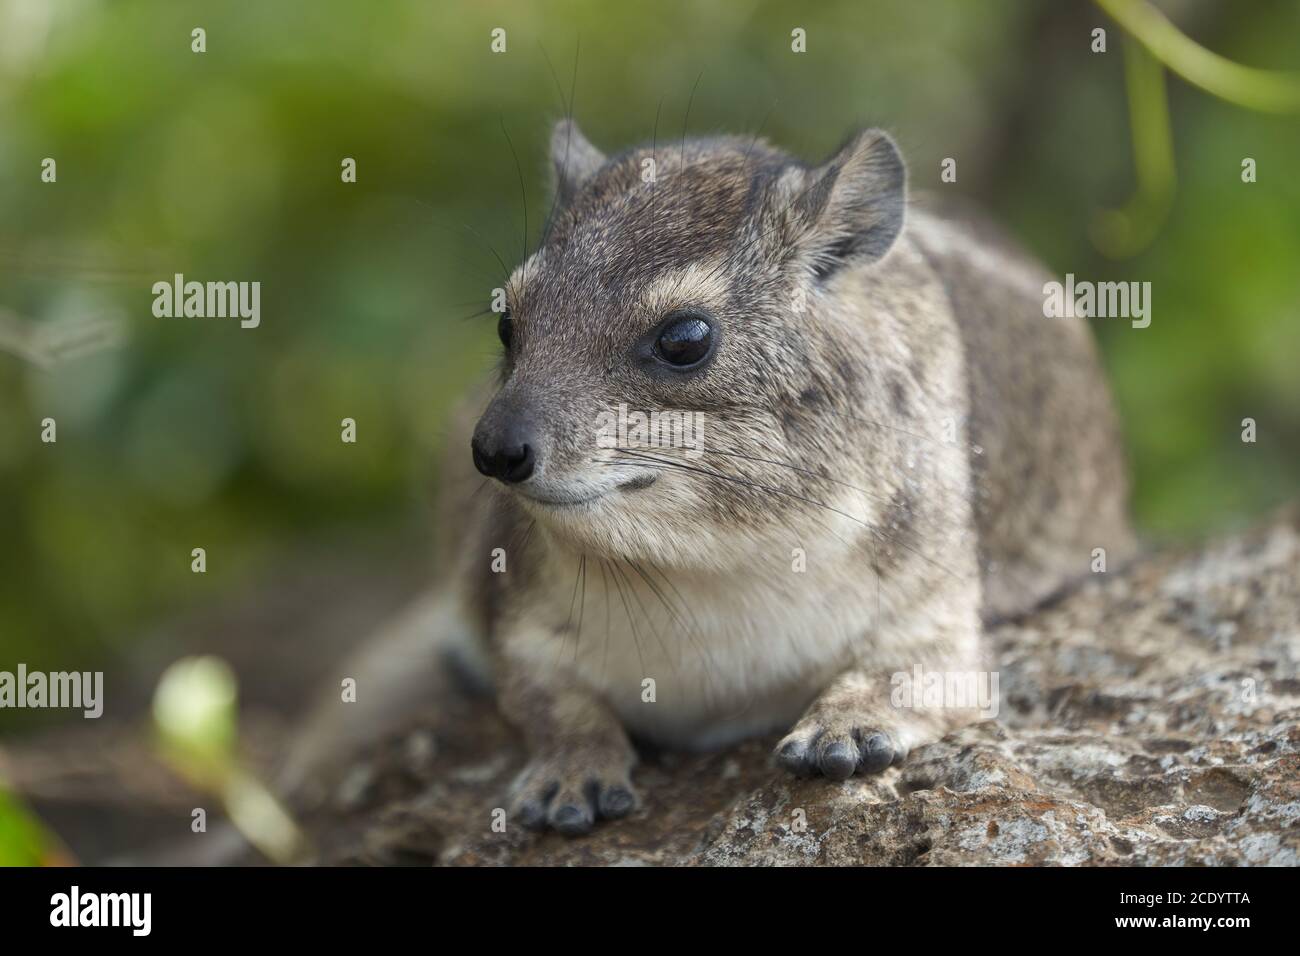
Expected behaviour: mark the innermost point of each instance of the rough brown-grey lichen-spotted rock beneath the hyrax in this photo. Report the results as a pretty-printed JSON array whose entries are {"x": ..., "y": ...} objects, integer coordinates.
[{"x": 1152, "y": 717}]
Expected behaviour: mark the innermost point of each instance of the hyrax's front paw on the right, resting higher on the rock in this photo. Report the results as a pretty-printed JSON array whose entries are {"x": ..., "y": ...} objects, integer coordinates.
[{"x": 839, "y": 749}]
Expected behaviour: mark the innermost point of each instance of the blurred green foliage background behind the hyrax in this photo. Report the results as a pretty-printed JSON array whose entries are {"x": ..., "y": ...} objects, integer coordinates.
[{"x": 175, "y": 435}]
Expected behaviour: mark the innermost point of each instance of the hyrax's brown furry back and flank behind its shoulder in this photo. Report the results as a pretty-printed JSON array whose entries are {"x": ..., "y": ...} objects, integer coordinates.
[{"x": 1050, "y": 479}]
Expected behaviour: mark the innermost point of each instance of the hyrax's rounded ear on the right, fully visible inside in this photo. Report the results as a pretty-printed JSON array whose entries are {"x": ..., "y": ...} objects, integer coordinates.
[{"x": 851, "y": 209}]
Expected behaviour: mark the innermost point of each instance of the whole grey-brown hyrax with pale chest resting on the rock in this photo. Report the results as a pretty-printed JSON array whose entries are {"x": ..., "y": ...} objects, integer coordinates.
[{"x": 764, "y": 442}]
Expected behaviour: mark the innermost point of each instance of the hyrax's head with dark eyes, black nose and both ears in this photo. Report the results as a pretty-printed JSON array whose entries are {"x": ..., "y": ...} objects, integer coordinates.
[{"x": 679, "y": 377}]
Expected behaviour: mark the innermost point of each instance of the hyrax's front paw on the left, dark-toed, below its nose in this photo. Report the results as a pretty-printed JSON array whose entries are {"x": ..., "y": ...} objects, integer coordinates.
[{"x": 570, "y": 793}]
